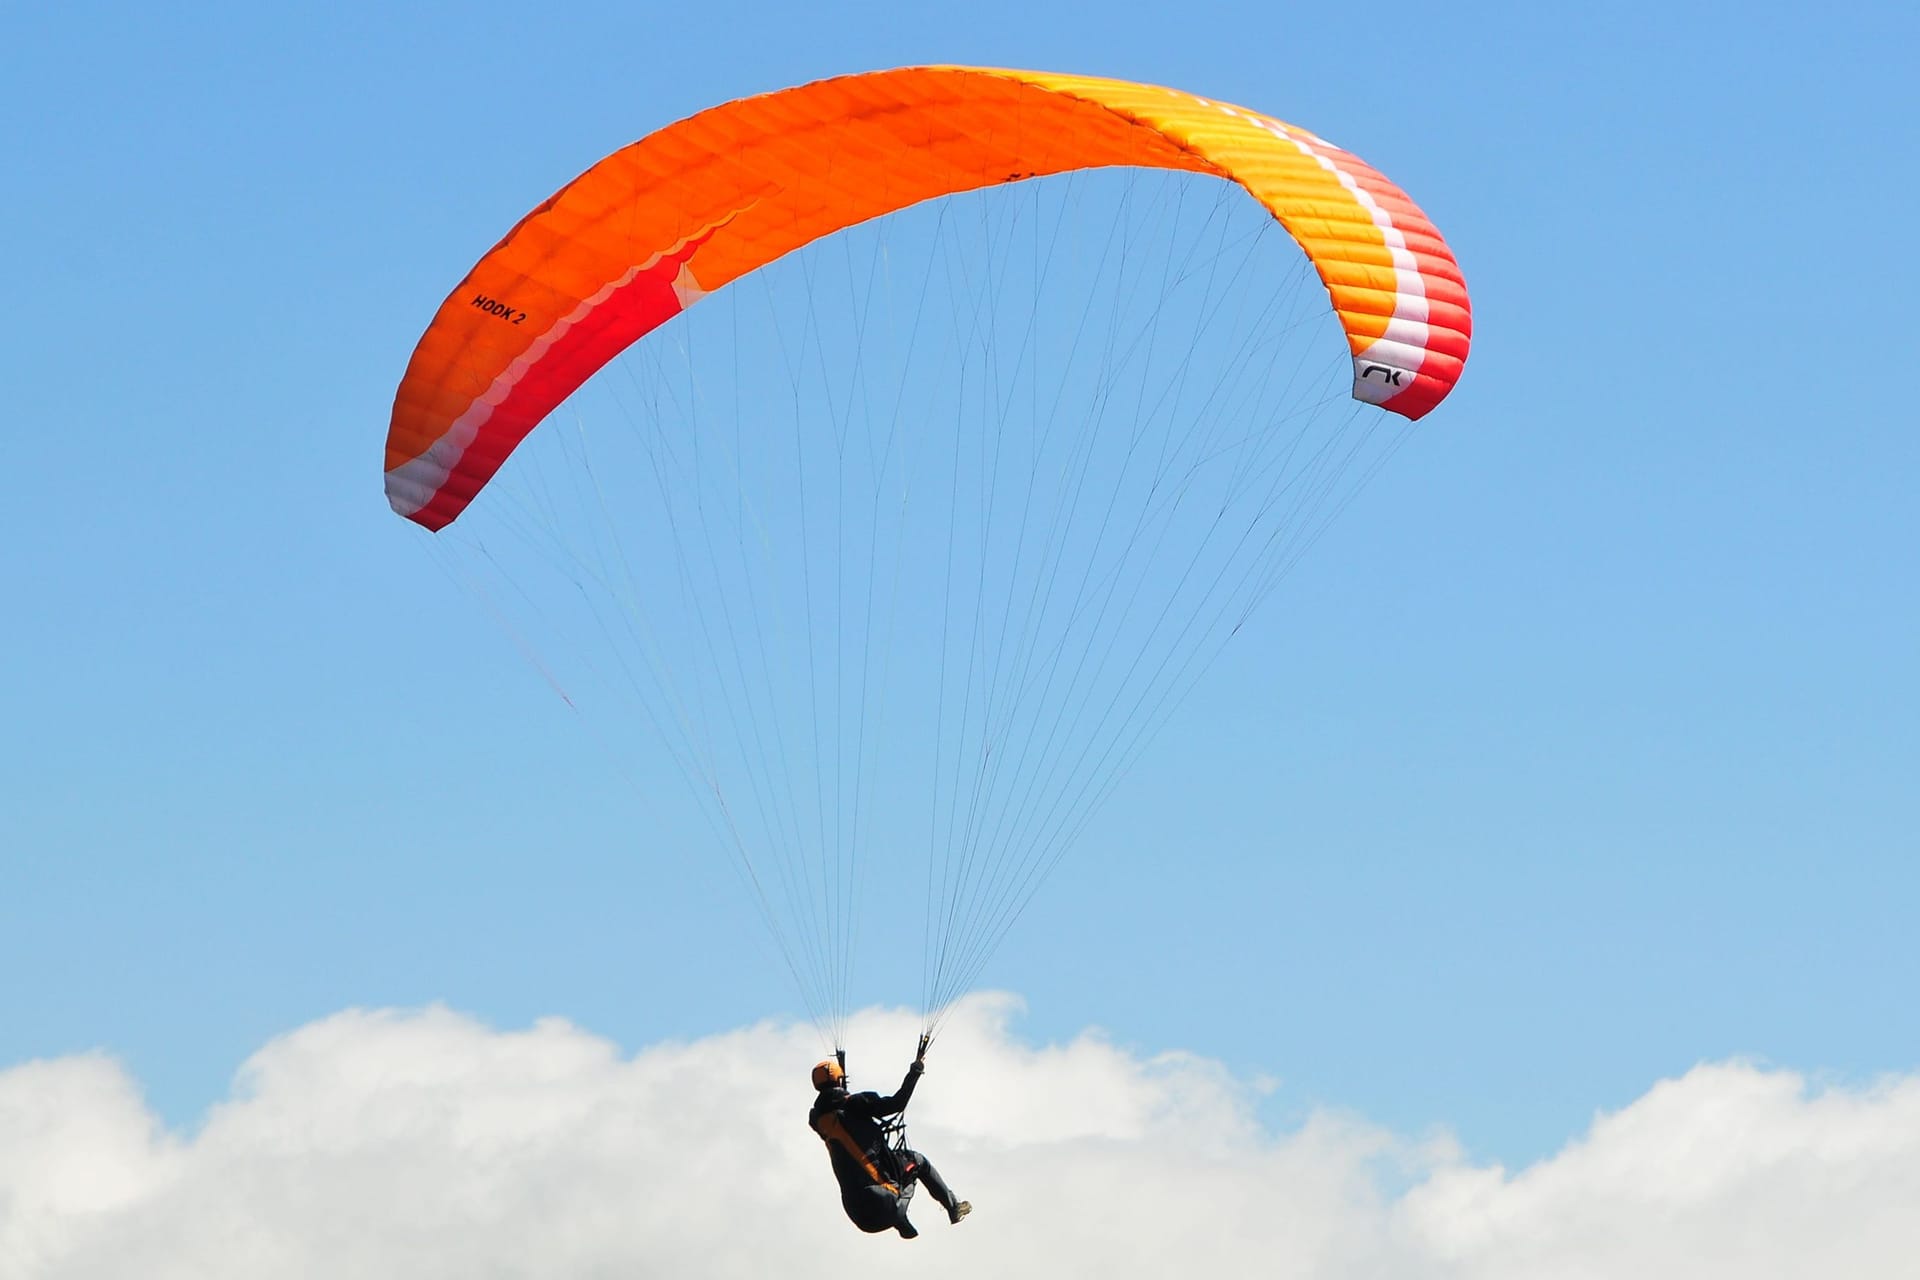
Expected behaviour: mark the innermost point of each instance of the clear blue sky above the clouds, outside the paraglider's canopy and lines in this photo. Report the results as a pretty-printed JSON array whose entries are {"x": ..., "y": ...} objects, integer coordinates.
[{"x": 1581, "y": 753}]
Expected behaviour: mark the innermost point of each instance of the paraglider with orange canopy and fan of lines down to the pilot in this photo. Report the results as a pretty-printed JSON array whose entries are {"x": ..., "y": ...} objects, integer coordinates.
[{"x": 1042, "y": 385}]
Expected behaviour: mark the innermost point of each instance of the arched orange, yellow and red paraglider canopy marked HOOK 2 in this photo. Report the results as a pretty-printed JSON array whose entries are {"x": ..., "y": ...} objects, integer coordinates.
[{"x": 698, "y": 204}]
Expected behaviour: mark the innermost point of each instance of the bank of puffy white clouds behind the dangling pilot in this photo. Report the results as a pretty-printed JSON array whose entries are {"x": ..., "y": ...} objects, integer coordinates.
[{"x": 425, "y": 1145}]
